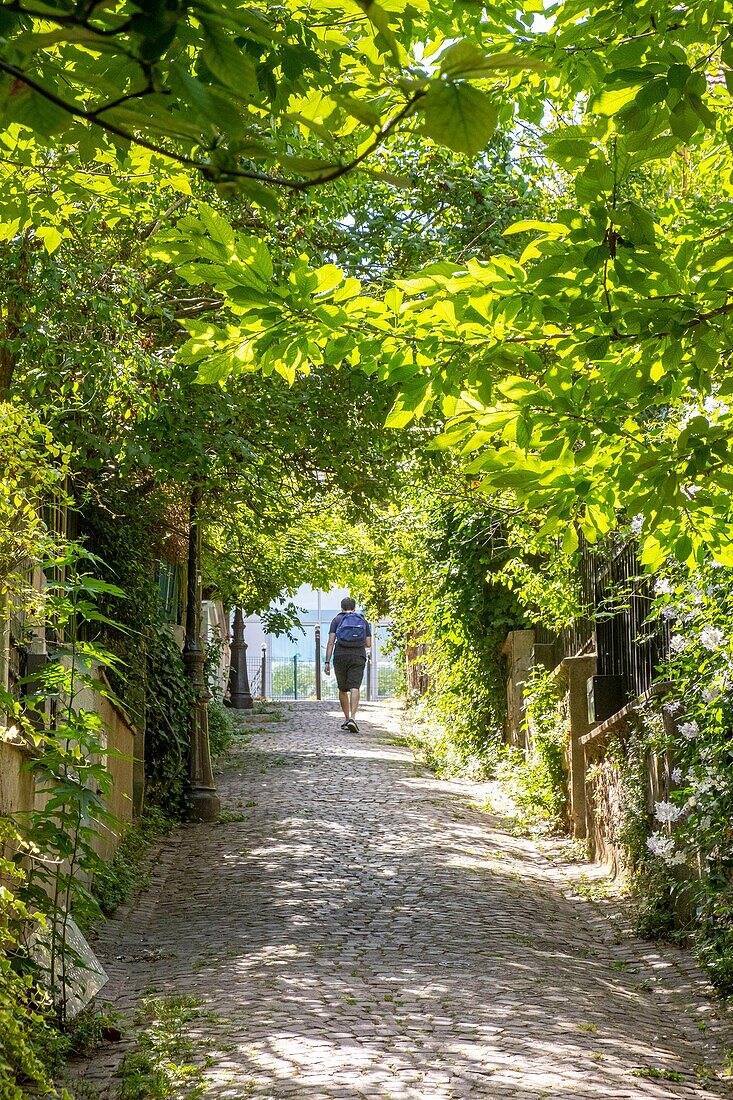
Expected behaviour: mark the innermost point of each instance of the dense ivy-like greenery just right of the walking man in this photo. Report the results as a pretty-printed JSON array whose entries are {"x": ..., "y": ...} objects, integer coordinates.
[{"x": 437, "y": 565}]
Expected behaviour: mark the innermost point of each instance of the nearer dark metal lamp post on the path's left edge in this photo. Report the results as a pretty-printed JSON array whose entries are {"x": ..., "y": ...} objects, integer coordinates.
[{"x": 204, "y": 796}]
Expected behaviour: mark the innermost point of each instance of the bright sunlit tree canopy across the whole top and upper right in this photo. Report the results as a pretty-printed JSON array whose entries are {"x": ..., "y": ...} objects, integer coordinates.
[{"x": 582, "y": 367}]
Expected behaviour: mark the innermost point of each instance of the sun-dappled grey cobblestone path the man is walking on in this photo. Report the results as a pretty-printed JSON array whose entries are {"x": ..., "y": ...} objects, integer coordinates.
[{"x": 356, "y": 929}]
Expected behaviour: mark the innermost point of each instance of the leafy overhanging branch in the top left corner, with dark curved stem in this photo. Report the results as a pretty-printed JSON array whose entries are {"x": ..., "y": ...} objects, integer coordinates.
[{"x": 253, "y": 97}]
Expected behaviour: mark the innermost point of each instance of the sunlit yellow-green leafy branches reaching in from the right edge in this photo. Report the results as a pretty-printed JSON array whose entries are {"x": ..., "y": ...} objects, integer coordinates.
[{"x": 586, "y": 376}]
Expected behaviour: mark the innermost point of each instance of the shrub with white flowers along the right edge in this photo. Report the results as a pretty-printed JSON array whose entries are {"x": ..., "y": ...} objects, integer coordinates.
[{"x": 694, "y": 827}]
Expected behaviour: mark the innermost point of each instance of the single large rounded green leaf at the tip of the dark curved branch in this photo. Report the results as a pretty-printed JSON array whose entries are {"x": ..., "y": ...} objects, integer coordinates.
[{"x": 460, "y": 117}]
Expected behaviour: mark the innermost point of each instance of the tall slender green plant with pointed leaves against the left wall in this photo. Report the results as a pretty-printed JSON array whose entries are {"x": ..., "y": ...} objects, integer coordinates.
[{"x": 69, "y": 765}]
